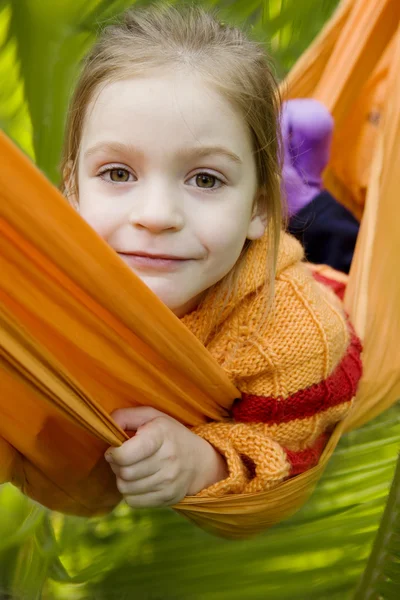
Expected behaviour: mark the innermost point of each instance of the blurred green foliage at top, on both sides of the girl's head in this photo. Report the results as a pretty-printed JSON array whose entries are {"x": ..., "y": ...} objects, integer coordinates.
[{"x": 43, "y": 41}]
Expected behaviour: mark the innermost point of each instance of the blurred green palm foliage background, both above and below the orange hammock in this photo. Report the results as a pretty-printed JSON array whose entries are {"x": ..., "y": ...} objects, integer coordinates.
[{"x": 336, "y": 544}]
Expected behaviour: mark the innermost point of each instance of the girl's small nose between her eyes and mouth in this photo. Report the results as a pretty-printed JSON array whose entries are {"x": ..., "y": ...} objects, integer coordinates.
[{"x": 158, "y": 209}]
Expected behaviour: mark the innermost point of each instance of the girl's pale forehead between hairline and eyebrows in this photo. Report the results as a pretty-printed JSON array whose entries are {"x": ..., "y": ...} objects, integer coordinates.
[{"x": 175, "y": 107}]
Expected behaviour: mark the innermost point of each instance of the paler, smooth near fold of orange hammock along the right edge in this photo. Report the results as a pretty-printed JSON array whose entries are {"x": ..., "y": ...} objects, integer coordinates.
[{"x": 373, "y": 294}]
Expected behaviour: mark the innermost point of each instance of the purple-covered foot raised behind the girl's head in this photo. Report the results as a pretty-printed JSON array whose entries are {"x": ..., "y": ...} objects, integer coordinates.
[{"x": 307, "y": 128}]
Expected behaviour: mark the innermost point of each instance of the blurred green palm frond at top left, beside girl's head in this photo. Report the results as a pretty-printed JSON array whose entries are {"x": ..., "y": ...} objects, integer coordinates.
[{"x": 43, "y": 45}]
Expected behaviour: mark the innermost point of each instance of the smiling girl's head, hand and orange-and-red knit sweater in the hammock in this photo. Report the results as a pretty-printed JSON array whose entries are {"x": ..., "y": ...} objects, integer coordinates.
[{"x": 172, "y": 156}]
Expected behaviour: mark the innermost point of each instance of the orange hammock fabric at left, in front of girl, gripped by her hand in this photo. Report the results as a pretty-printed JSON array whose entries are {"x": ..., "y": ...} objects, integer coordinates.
[{"x": 75, "y": 345}]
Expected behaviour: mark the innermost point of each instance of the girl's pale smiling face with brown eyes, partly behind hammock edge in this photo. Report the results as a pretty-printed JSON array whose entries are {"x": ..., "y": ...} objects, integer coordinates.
[{"x": 166, "y": 176}]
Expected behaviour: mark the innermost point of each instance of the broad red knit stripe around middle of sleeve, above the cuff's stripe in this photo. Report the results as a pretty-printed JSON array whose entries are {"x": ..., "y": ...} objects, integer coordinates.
[{"x": 339, "y": 387}]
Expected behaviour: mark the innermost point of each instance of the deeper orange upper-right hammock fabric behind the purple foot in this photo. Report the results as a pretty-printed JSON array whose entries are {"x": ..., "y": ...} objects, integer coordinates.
[{"x": 348, "y": 69}]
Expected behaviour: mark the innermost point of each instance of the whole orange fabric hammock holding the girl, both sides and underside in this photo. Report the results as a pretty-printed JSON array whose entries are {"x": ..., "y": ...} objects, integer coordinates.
[{"x": 74, "y": 346}]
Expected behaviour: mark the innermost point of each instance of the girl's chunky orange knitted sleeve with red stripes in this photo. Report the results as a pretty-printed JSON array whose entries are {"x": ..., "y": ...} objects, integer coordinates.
[{"x": 280, "y": 425}]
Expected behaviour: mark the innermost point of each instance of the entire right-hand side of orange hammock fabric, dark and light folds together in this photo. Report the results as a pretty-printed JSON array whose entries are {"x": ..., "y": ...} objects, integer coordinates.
[{"x": 359, "y": 84}]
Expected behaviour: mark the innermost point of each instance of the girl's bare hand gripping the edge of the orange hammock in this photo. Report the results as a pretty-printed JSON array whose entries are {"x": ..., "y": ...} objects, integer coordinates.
[{"x": 163, "y": 462}]
